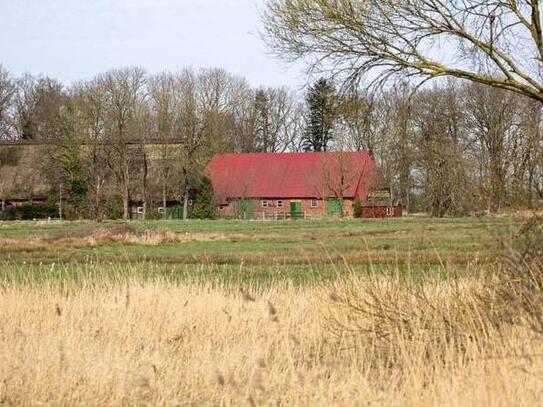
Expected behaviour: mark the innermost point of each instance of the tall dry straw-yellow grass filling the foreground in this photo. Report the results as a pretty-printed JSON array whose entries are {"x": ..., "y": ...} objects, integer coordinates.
[{"x": 157, "y": 343}]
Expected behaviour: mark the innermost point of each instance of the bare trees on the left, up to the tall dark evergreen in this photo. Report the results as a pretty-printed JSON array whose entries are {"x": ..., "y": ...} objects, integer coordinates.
[{"x": 126, "y": 135}]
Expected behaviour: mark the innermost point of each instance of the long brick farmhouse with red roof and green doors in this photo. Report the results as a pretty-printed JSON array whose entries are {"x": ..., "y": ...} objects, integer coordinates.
[{"x": 280, "y": 185}]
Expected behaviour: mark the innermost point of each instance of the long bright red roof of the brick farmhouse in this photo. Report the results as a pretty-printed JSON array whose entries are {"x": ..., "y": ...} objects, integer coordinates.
[{"x": 291, "y": 175}]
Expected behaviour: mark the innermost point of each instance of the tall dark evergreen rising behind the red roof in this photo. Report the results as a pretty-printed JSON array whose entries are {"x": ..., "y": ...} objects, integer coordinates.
[{"x": 320, "y": 100}]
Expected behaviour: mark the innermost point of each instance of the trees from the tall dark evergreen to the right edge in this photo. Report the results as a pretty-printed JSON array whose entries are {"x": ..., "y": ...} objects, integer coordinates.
[{"x": 453, "y": 148}]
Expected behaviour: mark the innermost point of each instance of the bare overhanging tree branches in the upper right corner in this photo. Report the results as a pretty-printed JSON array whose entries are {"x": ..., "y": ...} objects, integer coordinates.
[{"x": 496, "y": 43}]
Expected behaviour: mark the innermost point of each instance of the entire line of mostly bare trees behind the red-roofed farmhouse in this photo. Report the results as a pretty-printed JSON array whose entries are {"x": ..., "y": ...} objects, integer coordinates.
[{"x": 453, "y": 148}]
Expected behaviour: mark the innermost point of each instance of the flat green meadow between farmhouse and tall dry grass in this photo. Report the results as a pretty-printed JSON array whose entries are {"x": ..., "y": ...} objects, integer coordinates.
[{"x": 250, "y": 251}]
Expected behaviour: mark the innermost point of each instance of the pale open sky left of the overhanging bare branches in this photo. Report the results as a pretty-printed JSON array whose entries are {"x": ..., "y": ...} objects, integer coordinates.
[{"x": 76, "y": 39}]
